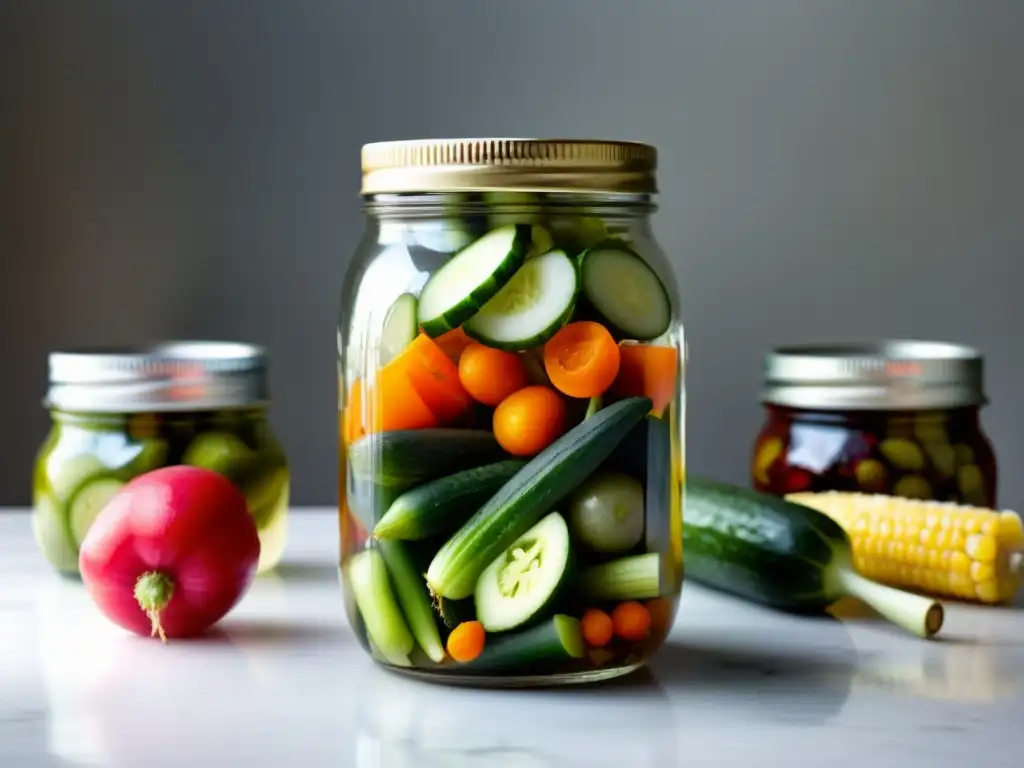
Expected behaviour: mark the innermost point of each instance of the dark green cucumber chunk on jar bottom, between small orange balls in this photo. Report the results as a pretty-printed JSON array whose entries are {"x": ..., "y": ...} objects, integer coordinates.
[{"x": 539, "y": 649}]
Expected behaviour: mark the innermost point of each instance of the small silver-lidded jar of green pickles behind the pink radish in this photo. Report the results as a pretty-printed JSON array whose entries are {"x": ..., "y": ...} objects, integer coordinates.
[{"x": 120, "y": 413}]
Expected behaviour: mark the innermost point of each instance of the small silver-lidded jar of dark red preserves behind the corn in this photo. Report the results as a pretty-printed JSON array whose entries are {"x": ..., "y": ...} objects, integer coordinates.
[{"x": 901, "y": 418}]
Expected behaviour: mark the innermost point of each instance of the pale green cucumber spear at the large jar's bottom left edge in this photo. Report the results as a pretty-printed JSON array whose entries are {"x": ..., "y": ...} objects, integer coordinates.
[{"x": 387, "y": 628}]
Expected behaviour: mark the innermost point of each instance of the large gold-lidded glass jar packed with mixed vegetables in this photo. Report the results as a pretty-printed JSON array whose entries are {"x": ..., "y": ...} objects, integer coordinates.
[{"x": 510, "y": 413}]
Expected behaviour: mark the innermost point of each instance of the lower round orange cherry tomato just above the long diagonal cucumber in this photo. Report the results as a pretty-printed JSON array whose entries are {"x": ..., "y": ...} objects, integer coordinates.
[{"x": 529, "y": 421}]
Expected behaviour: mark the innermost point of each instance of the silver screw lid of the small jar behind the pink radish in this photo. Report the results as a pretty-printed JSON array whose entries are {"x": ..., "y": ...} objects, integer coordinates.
[{"x": 170, "y": 376}]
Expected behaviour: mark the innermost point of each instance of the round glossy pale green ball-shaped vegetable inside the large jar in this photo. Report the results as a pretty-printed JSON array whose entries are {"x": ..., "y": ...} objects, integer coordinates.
[{"x": 607, "y": 513}]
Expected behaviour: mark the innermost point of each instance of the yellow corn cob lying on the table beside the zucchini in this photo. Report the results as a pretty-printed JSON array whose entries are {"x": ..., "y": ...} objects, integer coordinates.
[{"x": 938, "y": 548}]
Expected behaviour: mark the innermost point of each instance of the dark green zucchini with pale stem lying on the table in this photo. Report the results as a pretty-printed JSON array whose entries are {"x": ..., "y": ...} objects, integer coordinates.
[{"x": 784, "y": 556}]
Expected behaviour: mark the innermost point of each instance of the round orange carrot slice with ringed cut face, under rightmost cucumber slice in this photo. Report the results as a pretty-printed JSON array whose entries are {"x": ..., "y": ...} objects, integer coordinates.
[{"x": 582, "y": 360}]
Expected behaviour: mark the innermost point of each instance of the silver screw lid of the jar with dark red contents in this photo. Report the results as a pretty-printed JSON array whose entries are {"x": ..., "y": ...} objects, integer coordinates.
[{"x": 888, "y": 375}]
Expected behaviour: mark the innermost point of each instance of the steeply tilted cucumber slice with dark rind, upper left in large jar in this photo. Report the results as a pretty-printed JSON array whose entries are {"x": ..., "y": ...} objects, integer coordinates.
[{"x": 457, "y": 291}]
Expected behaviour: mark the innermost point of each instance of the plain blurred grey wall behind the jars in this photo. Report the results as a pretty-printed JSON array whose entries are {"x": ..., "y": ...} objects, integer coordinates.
[{"x": 830, "y": 170}]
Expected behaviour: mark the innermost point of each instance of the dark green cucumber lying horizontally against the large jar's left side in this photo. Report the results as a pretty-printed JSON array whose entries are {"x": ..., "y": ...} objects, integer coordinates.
[{"x": 410, "y": 457}]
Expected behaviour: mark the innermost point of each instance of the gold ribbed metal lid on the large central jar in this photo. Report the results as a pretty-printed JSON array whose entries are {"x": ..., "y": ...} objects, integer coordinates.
[{"x": 510, "y": 165}]
